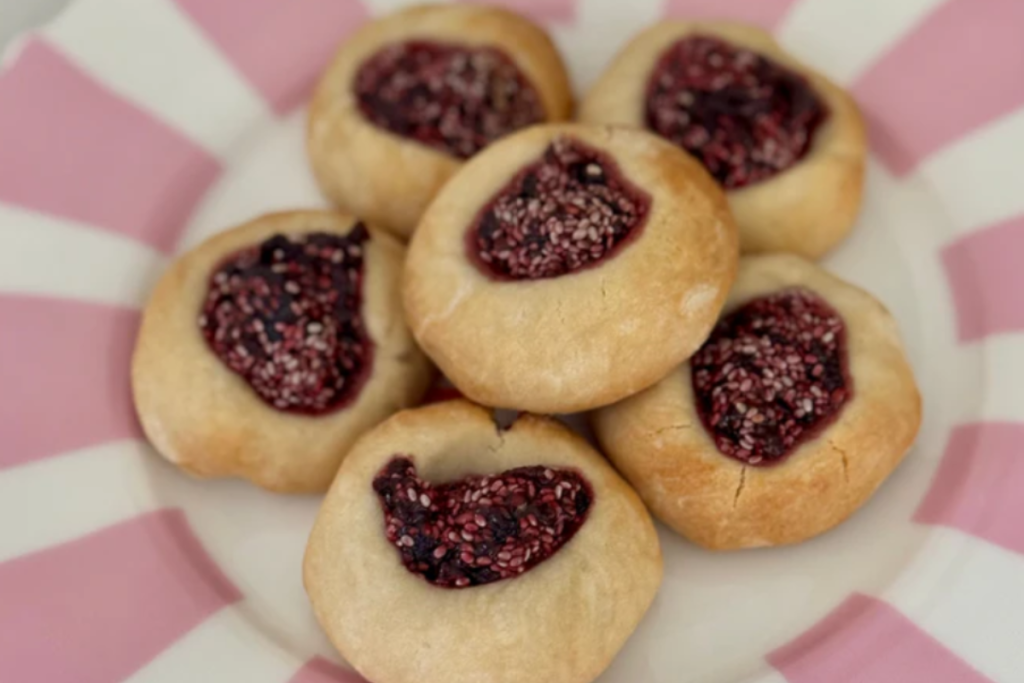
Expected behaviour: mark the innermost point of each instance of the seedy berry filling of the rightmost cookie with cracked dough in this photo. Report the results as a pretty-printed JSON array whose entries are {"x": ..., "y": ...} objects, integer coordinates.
[{"x": 772, "y": 376}]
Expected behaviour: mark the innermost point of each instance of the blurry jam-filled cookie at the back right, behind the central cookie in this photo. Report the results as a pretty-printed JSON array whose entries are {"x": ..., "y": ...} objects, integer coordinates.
[{"x": 787, "y": 145}]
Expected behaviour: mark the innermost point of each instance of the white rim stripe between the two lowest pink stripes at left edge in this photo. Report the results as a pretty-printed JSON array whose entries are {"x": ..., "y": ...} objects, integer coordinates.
[{"x": 61, "y": 499}]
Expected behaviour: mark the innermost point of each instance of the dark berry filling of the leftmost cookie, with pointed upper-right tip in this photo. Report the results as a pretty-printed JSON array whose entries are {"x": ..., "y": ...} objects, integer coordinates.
[{"x": 285, "y": 316}]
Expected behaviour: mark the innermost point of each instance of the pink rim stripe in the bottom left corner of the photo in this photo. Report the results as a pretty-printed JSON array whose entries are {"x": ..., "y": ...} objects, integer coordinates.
[{"x": 97, "y": 610}]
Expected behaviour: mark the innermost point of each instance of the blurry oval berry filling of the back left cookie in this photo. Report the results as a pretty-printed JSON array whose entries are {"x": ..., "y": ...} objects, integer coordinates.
[{"x": 453, "y": 99}]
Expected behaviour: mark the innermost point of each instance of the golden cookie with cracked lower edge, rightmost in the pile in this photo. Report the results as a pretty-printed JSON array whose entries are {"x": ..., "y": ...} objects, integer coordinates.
[{"x": 793, "y": 413}]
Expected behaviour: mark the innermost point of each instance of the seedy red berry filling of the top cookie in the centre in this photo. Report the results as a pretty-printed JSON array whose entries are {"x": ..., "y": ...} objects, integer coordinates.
[{"x": 567, "y": 211}]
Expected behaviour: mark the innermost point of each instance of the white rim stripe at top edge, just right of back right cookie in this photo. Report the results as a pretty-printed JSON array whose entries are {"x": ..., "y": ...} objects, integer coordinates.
[{"x": 843, "y": 37}]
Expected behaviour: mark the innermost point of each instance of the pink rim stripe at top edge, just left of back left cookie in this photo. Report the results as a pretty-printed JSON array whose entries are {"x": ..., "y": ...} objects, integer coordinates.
[{"x": 280, "y": 48}]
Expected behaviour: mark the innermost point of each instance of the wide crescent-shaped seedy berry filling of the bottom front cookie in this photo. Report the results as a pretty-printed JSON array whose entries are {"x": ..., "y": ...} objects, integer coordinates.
[{"x": 482, "y": 529}]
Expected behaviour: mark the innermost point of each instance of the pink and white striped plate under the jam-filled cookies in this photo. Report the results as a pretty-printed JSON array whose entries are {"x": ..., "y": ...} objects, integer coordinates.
[{"x": 132, "y": 130}]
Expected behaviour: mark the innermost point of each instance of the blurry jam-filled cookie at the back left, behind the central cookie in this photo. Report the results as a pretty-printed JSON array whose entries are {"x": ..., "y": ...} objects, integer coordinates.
[{"x": 412, "y": 96}]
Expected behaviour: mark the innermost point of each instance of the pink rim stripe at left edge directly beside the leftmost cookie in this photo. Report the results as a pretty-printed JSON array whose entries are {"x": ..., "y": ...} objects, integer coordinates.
[{"x": 65, "y": 369}]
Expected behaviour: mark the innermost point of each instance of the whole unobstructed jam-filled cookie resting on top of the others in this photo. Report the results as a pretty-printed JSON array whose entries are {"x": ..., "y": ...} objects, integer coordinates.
[{"x": 569, "y": 267}]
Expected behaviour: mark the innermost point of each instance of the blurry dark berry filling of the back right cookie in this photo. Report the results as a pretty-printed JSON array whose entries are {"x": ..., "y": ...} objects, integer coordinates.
[{"x": 745, "y": 117}]
